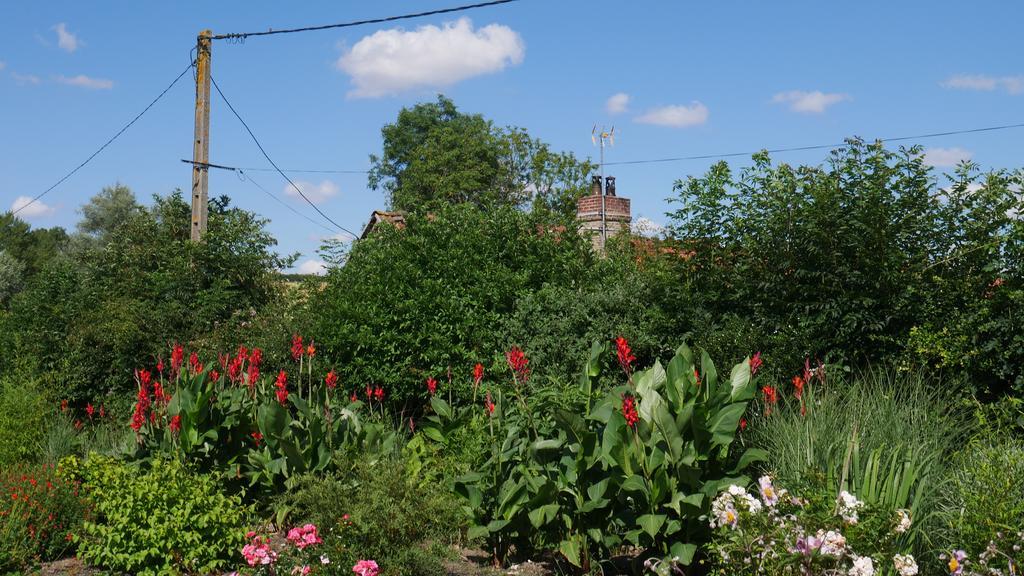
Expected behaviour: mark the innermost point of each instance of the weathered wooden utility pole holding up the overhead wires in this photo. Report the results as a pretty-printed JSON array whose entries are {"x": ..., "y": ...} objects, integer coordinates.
[{"x": 201, "y": 150}]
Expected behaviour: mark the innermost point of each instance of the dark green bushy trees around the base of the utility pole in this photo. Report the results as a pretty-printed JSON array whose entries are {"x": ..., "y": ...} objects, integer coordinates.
[{"x": 86, "y": 323}]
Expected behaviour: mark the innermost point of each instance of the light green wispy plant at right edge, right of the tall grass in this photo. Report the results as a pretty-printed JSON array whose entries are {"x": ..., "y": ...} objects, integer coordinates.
[{"x": 985, "y": 500}]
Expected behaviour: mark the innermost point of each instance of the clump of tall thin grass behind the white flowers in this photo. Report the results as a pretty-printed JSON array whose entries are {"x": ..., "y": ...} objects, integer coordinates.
[{"x": 884, "y": 435}]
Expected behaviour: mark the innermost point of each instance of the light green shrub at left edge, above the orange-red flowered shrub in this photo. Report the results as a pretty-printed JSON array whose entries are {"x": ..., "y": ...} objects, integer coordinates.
[{"x": 24, "y": 413}]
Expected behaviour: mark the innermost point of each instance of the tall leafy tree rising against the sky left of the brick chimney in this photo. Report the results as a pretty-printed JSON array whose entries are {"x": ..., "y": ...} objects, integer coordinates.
[{"x": 436, "y": 154}]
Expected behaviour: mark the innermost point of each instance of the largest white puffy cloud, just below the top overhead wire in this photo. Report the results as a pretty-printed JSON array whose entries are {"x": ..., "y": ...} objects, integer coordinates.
[{"x": 390, "y": 62}]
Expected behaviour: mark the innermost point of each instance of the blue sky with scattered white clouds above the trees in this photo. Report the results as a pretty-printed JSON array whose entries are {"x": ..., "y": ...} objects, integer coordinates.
[{"x": 675, "y": 79}]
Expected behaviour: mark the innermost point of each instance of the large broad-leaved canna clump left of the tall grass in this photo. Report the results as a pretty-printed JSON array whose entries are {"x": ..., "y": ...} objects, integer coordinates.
[{"x": 594, "y": 481}]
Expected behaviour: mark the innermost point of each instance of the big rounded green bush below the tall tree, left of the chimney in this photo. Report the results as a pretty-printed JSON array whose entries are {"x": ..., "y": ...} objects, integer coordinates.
[{"x": 414, "y": 303}]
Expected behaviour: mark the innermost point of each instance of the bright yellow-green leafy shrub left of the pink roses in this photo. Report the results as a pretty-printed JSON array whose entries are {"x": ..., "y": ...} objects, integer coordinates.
[{"x": 158, "y": 521}]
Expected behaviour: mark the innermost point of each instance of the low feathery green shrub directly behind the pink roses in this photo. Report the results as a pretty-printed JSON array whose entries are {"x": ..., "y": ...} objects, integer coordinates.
[{"x": 378, "y": 512}]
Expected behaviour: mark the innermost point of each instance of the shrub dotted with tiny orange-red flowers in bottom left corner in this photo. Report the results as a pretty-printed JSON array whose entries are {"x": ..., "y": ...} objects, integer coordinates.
[{"x": 39, "y": 514}]
